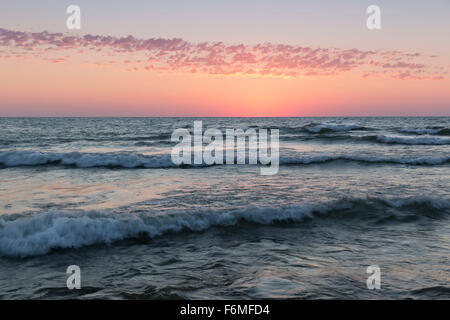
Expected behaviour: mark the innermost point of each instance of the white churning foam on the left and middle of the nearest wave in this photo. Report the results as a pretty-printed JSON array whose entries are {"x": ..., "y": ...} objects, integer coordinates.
[{"x": 40, "y": 233}]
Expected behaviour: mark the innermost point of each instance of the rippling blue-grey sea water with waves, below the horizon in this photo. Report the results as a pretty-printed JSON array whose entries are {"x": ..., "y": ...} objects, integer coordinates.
[{"x": 104, "y": 195}]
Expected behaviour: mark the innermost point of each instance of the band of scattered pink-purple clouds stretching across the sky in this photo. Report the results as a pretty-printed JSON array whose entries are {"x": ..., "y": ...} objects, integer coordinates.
[{"x": 217, "y": 58}]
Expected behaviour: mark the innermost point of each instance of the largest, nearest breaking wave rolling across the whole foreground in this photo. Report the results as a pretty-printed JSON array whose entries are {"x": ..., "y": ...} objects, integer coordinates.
[{"x": 31, "y": 234}]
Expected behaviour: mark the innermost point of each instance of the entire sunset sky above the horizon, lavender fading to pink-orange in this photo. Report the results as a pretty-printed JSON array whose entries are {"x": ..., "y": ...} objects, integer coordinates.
[{"x": 225, "y": 58}]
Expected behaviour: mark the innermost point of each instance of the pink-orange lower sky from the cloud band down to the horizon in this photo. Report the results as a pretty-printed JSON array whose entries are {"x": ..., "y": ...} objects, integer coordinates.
[{"x": 64, "y": 73}]
